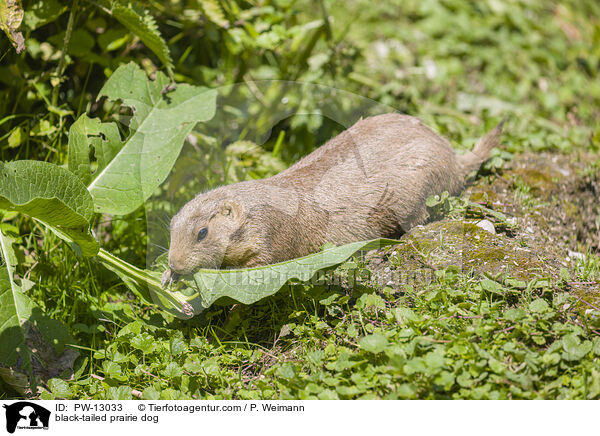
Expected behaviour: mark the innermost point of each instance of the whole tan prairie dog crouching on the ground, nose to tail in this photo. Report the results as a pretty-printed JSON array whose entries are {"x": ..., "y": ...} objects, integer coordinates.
[{"x": 370, "y": 181}]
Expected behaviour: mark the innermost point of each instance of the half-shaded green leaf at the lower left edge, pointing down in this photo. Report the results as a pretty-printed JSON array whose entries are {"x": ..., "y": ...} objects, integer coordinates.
[{"x": 23, "y": 325}]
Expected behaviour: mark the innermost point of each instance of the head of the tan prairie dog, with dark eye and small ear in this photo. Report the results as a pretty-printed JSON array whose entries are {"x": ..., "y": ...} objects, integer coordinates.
[{"x": 202, "y": 232}]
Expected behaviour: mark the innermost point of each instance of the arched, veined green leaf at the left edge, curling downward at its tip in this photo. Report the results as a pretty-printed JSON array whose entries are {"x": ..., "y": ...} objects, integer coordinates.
[{"x": 50, "y": 194}]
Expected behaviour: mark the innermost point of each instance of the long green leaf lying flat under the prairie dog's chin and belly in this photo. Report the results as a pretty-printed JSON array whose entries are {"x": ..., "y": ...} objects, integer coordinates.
[{"x": 252, "y": 284}]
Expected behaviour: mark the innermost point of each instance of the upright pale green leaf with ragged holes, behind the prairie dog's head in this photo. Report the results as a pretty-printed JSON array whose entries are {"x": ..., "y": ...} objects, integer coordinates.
[{"x": 128, "y": 172}]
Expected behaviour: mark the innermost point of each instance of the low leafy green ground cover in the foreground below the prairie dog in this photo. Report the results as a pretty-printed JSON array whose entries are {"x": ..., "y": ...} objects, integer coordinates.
[{"x": 457, "y": 338}]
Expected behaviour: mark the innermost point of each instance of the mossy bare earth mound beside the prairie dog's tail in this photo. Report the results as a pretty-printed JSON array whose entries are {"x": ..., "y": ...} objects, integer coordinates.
[{"x": 558, "y": 213}]
